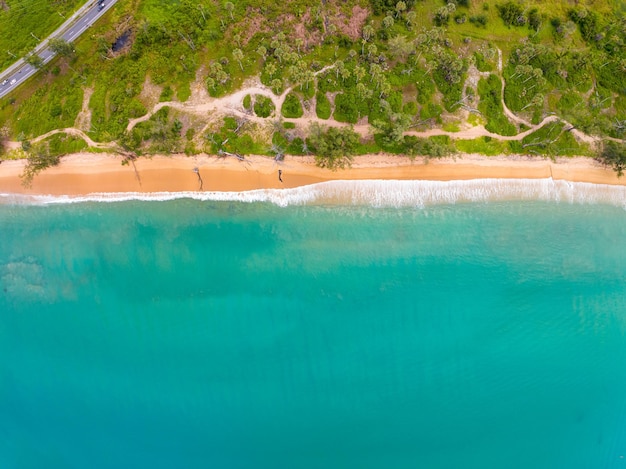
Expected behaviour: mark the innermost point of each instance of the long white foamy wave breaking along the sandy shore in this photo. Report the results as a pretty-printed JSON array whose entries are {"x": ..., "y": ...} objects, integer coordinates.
[{"x": 378, "y": 193}]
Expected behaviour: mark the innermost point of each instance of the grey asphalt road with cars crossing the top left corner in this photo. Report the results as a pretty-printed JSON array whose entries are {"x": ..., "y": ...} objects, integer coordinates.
[{"x": 70, "y": 32}]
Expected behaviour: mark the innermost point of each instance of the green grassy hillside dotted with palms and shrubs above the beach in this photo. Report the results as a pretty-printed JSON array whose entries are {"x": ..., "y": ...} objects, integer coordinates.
[{"x": 399, "y": 66}]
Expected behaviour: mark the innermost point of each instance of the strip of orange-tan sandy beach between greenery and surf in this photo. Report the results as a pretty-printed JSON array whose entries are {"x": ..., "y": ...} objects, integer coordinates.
[{"x": 86, "y": 173}]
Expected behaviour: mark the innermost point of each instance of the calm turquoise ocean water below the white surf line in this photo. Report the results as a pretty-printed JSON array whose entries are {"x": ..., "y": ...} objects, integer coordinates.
[{"x": 221, "y": 334}]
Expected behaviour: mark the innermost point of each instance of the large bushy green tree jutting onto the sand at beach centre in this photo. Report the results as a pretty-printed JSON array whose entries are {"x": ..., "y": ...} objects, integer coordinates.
[{"x": 334, "y": 147}]
